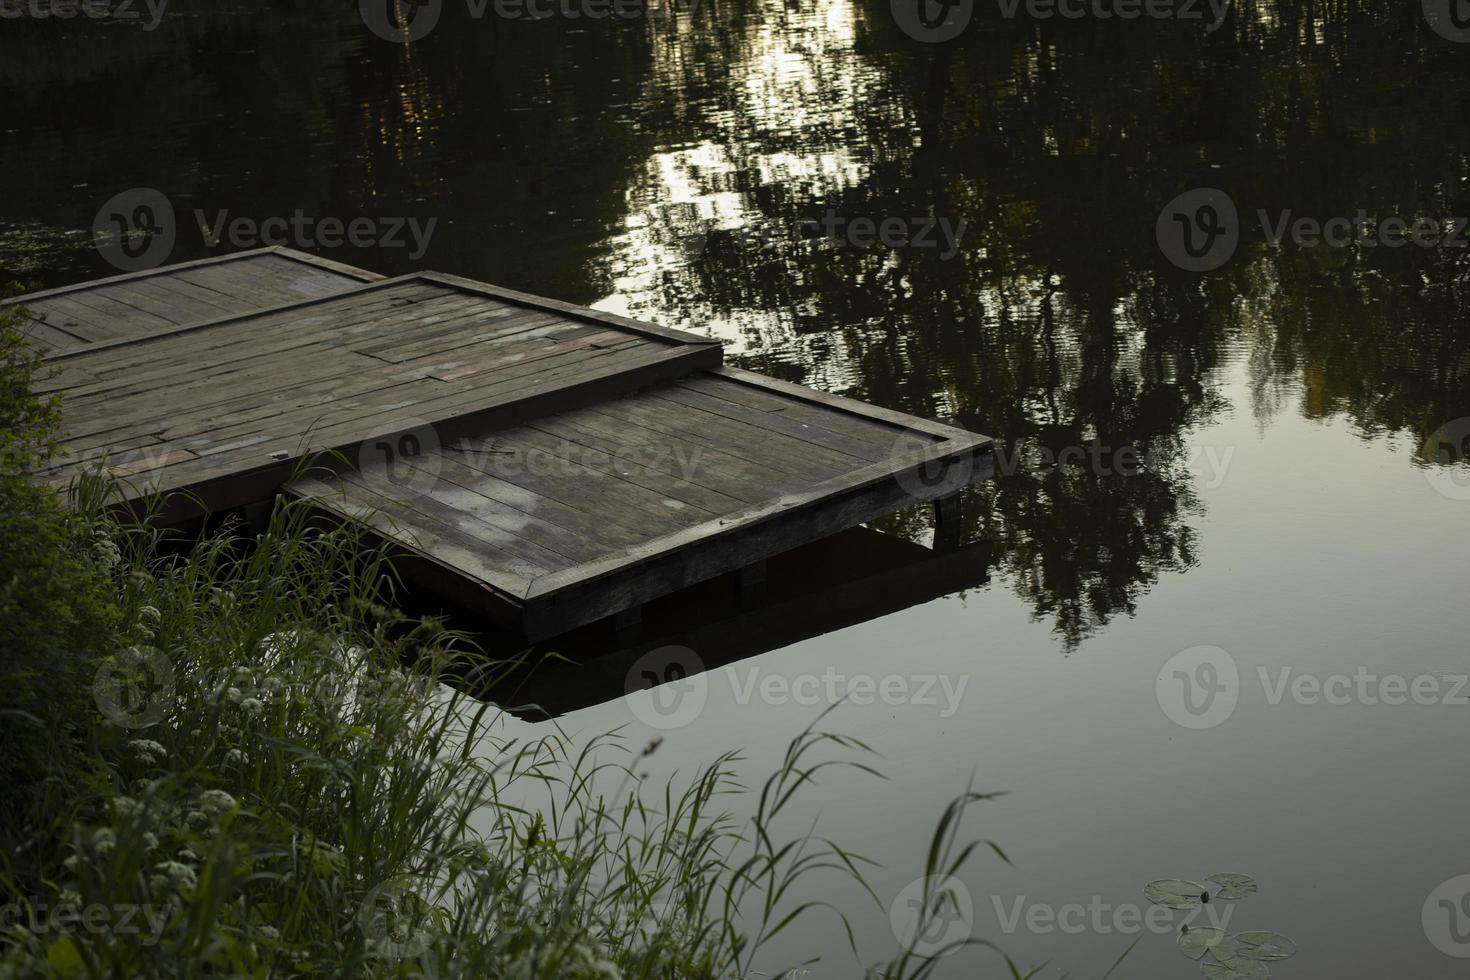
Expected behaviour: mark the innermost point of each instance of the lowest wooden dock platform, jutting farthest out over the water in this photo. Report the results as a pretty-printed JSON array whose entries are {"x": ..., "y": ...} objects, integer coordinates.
[{"x": 576, "y": 516}]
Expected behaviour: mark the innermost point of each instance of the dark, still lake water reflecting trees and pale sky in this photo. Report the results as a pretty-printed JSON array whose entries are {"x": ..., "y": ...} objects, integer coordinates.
[{"x": 1224, "y": 627}]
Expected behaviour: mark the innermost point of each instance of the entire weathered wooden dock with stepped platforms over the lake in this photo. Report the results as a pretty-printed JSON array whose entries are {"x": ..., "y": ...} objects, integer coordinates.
[{"x": 546, "y": 464}]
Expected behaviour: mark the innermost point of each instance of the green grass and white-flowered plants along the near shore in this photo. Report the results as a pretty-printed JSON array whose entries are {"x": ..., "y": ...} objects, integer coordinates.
[{"x": 239, "y": 759}]
